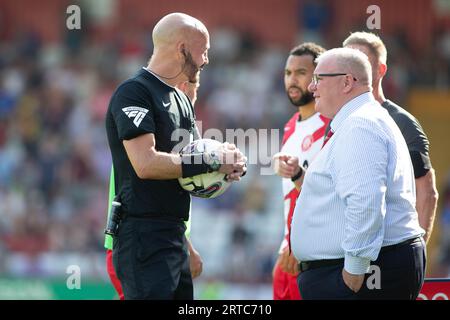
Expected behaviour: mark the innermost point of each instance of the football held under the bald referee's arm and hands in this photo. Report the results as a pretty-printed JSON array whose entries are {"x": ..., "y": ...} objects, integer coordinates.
[{"x": 206, "y": 185}]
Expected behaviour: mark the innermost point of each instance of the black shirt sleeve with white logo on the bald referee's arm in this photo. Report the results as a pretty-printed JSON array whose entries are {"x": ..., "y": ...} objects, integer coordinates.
[{"x": 131, "y": 111}]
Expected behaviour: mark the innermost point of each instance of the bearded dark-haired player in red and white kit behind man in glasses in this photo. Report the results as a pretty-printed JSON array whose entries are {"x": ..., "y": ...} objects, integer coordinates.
[{"x": 302, "y": 140}]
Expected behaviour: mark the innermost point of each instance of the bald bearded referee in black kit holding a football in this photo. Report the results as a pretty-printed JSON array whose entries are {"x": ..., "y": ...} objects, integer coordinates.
[{"x": 145, "y": 116}]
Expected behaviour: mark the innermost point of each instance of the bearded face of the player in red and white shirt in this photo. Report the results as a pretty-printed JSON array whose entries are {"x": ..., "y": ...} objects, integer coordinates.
[{"x": 297, "y": 75}]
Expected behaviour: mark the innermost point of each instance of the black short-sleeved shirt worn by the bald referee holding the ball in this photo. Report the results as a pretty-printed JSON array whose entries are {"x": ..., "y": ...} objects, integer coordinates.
[{"x": 140, "y": 105}]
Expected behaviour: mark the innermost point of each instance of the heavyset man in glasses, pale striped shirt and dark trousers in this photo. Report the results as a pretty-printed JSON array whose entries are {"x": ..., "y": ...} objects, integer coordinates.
[{"x": 356, "y": 212}]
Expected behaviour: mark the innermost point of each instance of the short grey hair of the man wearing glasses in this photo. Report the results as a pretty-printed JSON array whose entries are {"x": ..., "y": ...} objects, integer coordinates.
[{"x": 349, "y": 61}]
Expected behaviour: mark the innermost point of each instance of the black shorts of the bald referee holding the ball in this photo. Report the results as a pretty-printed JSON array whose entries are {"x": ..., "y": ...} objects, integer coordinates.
[{"x": 150, "y": 256}]
